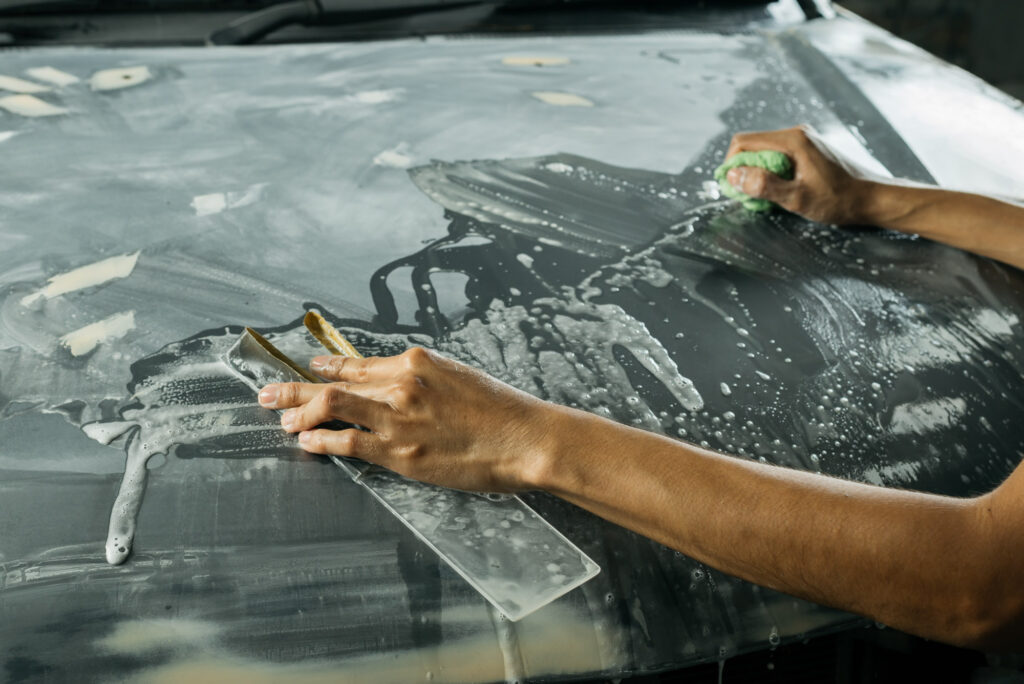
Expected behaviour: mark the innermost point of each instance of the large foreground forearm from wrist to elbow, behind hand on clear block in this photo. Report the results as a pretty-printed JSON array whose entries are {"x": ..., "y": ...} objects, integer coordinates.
[{"x": 908, "y": 560}]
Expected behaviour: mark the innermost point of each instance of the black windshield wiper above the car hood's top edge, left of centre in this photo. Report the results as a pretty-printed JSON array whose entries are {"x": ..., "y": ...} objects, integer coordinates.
[{"x": 258, "y": 25}]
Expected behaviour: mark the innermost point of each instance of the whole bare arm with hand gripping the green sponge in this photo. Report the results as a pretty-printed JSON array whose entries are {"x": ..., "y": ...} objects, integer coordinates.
[{"x": 826, "y": 190}]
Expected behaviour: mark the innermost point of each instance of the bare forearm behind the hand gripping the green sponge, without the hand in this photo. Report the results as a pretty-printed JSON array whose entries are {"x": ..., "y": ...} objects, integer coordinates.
[{"x": 972, "y": 223}]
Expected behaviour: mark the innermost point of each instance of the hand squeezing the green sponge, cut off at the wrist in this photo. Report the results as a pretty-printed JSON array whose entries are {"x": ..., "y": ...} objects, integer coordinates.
[{"x": 824, "y": 189}]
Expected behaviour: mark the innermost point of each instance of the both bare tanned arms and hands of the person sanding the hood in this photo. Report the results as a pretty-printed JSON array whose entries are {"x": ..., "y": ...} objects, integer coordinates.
[{"x": 942, "y": 568}]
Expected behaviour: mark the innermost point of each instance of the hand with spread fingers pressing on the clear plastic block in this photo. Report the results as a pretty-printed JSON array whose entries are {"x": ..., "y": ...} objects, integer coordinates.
[{"x": 431, "y": 418}]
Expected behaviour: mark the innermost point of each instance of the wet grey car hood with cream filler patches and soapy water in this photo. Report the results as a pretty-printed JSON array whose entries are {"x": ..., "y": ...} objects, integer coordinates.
[{"x": 421, "y": 193}]
